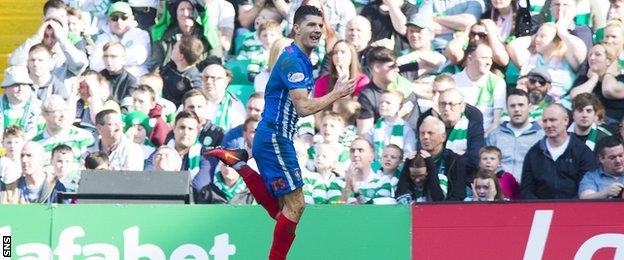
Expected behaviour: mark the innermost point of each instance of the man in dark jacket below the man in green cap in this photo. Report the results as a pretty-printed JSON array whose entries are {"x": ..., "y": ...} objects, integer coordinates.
[{"x": 121, "y": 81}]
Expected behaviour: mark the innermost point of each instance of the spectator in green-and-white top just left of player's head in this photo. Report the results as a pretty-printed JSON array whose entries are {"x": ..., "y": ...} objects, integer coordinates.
[{"x": 258, "y": 55}]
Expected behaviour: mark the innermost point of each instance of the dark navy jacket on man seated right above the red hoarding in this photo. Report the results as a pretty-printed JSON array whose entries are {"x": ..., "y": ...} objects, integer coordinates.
[{"x": 544, "y": 178}]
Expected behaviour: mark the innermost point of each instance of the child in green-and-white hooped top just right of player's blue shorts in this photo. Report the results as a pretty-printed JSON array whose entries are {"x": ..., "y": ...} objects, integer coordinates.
[{"x": 324, "y": 186}]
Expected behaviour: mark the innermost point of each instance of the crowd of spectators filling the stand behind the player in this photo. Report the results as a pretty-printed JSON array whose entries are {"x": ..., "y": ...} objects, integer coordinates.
[{"x": 455, "y": 100}]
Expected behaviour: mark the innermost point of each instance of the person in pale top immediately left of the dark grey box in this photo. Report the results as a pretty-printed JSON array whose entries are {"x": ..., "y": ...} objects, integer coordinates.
[{"x": 64, "y": 167}]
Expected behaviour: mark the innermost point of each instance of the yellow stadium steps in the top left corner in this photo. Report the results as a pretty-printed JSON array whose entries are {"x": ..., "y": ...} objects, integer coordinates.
[{"x": 19, "y": 19}]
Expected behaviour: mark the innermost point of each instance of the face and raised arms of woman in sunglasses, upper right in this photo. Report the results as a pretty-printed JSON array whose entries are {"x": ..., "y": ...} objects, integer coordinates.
[{"x": 484, "y": 31}]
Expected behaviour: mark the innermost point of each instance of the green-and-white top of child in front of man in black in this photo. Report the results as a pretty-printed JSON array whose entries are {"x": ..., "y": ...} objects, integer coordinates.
[{"x": 381, "y": 138}]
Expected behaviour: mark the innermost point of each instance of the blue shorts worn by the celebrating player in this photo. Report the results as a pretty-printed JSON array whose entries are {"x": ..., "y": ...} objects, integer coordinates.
[{"x": 277, "y": 162}]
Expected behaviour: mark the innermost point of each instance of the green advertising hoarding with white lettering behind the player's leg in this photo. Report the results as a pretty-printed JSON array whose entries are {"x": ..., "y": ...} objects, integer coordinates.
[{"x": 199, "y": 232}]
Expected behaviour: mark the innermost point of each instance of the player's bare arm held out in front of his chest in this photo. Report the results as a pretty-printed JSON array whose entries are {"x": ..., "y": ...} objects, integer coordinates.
[{"x": 307, "y": 106}]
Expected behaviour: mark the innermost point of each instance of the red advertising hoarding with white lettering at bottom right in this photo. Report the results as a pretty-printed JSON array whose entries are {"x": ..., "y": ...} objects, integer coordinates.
[{"x": 560, "y": 230}]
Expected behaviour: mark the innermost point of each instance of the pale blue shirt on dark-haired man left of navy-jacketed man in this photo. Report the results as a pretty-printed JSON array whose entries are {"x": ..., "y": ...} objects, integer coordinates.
[{"x": 514, "y": 148}]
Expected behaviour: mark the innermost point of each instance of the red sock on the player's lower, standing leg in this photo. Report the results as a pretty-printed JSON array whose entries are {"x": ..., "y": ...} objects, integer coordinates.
[{"x": 283, "y": 236}]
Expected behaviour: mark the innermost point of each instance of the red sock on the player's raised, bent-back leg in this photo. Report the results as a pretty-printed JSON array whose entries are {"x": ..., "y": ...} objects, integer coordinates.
[{"x": 258, "y": 189}]
